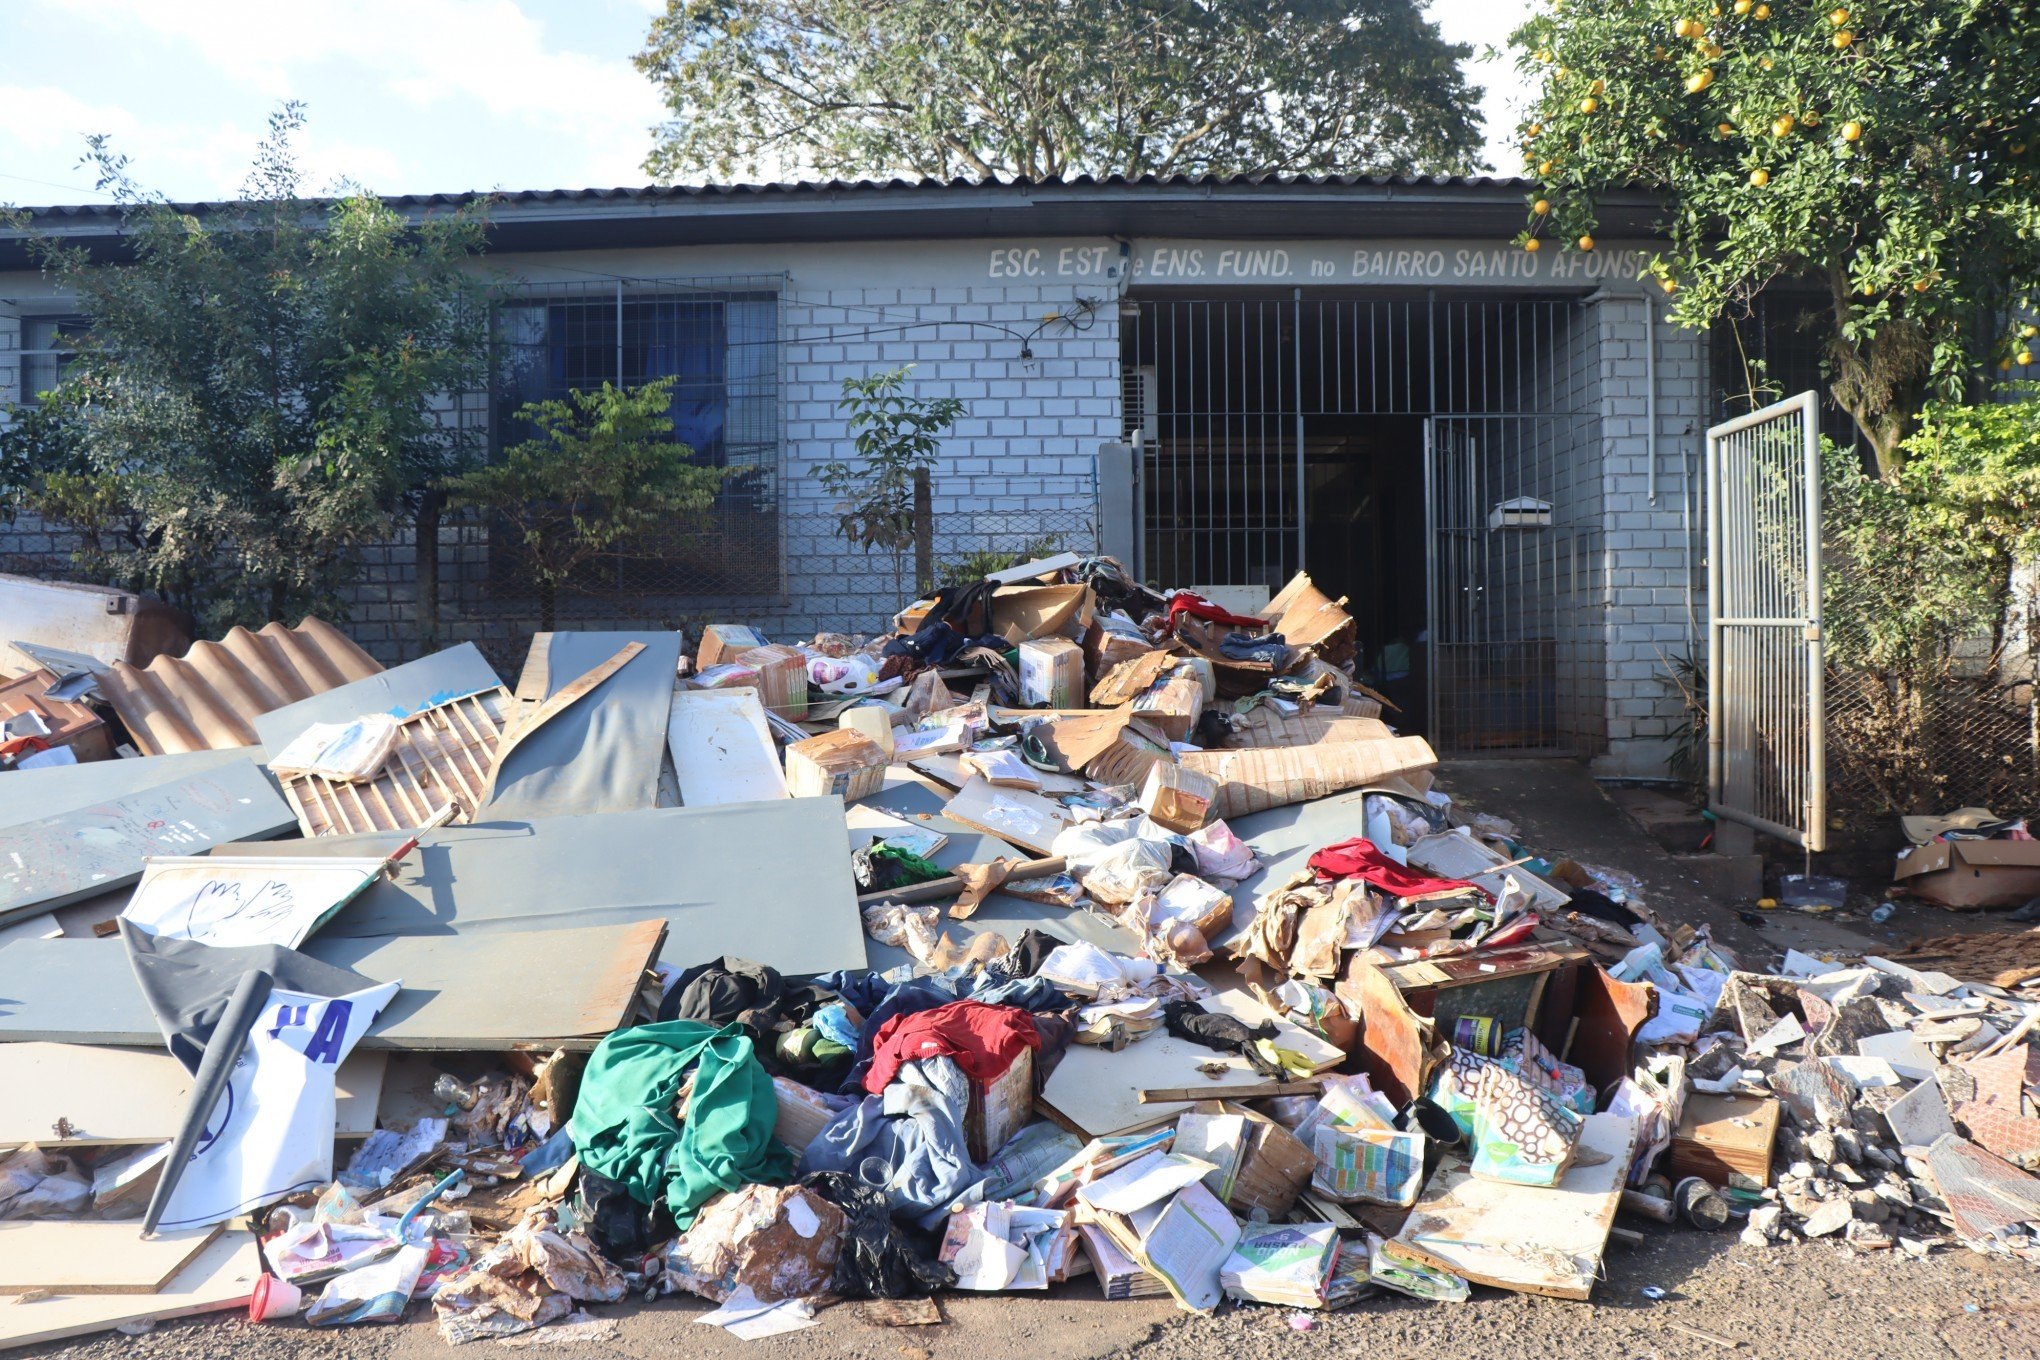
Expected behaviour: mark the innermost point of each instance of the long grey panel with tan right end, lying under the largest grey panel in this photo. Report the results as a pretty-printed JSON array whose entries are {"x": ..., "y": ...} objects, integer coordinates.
[{"x": 499, "y": 992}]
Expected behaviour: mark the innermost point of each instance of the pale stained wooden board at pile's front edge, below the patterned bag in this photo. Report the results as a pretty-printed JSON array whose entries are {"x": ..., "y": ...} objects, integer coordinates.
[{"x": 1539, "y": 1241}]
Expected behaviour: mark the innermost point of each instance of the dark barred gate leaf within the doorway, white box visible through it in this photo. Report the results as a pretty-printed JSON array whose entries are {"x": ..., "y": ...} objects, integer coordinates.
[{"x": 1517, "y": 584}]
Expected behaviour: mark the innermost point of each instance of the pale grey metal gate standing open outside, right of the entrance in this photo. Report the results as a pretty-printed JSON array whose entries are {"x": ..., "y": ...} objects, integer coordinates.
[{"x": 1768, "y": 764}]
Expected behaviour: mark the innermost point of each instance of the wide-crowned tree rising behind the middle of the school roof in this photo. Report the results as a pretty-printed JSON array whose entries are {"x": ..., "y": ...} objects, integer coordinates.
[{"x": 1043, "y": 89}]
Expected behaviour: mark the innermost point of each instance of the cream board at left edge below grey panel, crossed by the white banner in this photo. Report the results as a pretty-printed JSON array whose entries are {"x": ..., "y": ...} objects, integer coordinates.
[{"x": 72, "y": 1096}]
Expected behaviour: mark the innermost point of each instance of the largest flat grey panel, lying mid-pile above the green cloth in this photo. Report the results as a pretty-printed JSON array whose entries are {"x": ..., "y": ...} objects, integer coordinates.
[{"x": 768, "y": 882}]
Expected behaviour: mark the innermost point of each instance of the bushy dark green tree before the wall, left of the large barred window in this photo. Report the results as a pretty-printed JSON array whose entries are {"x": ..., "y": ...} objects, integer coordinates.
[{"x": 262, "y": 390}]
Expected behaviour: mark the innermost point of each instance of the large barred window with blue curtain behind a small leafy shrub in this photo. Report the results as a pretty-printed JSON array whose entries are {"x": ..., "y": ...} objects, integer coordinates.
[{"x": 719, "y": 339}]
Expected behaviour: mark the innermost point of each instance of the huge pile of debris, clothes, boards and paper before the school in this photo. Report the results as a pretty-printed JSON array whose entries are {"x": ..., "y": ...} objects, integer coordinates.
[{"x": 1064, "y": 929}]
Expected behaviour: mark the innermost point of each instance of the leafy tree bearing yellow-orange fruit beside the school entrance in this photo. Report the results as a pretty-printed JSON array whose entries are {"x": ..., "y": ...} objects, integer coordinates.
[{"x": 1882, "y": 152}]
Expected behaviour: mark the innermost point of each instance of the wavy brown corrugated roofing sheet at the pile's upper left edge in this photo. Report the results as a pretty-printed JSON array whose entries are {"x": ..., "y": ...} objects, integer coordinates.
[{"x": 209, "y": 698}]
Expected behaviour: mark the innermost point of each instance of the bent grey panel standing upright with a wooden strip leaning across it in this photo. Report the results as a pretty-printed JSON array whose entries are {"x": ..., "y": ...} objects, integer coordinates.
[{"x": 603, "y": 753}]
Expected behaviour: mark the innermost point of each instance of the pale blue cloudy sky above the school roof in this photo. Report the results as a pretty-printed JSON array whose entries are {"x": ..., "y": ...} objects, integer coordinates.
[{"x": 403, "y": 97}]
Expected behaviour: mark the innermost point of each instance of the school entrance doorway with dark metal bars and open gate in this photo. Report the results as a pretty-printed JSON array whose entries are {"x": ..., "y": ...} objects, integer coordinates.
[{"x": 1433, "y": 460}]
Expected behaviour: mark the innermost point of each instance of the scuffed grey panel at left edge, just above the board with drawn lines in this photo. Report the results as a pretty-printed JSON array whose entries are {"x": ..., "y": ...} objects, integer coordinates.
[{"x": 101, "y": 847}]
